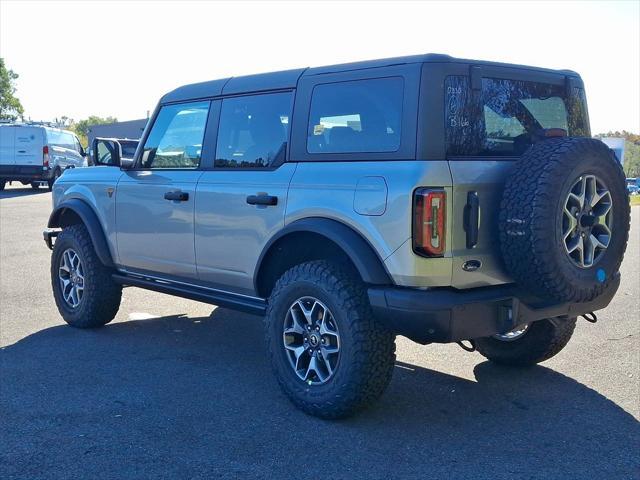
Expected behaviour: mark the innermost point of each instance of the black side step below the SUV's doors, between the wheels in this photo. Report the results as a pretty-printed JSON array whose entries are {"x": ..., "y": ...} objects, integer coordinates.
[{"x": 255, "y": 306}]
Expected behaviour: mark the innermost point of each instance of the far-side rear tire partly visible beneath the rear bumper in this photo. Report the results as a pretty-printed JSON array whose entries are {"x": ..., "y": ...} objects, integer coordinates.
[{"x": 542, "y": 340}]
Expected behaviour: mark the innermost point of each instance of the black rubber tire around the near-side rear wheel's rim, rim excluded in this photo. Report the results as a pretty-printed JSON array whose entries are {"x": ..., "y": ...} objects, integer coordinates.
[{"x": 367, "y": 353}]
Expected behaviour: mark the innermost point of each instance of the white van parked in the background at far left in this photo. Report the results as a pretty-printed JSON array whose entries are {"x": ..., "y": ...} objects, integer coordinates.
[{"x": 35, "y": 154}]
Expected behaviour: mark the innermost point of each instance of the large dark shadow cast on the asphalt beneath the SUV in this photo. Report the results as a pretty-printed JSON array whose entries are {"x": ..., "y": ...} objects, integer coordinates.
[{"x": 177, "y": 397}]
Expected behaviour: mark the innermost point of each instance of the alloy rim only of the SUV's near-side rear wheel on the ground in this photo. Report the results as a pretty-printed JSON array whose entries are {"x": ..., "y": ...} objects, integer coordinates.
[{"x": 311, "y": 340}]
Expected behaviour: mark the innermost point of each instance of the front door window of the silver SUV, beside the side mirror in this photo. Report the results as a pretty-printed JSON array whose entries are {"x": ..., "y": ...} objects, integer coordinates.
[{"x": 175, "y": 140}]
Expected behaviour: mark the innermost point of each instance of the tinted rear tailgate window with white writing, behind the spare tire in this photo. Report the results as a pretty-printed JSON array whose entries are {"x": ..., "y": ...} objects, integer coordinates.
[{"x": 506, "y": 116}]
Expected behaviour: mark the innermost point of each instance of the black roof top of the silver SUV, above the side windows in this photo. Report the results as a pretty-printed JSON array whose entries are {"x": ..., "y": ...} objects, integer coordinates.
[{"x": 287, "y": 79}]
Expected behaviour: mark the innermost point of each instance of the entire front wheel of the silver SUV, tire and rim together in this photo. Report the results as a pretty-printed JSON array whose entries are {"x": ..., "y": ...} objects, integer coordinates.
[{"x": 83, "y": 289}]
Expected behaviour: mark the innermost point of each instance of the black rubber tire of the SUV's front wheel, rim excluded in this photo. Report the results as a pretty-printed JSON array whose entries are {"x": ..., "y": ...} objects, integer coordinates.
[{"x": 101, "y": 298}]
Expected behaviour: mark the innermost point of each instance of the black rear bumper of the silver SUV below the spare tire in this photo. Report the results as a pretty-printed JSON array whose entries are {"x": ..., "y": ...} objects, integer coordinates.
[{"x": 447, "y": 315}]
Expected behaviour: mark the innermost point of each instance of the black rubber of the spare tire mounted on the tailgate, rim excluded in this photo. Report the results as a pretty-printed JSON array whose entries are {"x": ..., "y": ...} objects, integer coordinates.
[{"x": 530, "y": 221}]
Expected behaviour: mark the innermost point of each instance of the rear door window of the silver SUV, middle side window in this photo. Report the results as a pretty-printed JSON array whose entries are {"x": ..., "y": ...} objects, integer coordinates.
[{"x": 253, "y": 130}]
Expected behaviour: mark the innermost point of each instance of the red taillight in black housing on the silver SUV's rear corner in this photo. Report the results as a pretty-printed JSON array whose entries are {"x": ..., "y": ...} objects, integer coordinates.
[{"x": 429, "y": 222}]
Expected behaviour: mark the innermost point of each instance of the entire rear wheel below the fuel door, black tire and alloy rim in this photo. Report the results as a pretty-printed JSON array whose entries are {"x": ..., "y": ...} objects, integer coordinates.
[{"x": 329, "y": 354}]
